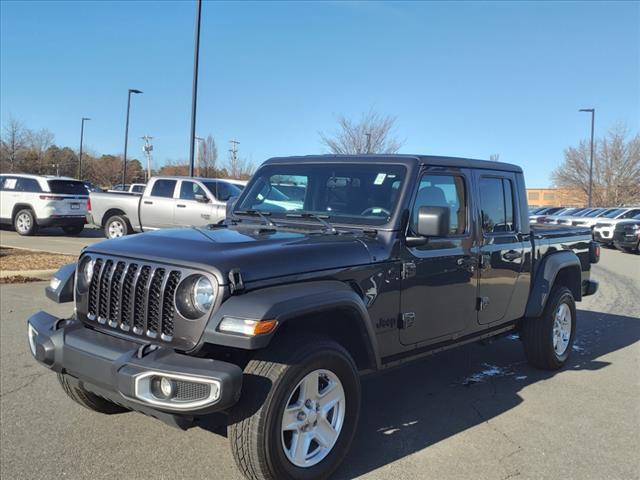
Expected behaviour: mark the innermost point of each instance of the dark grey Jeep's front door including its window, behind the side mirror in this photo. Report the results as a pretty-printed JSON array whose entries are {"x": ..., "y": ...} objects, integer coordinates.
[{"x": 439, "y": 278}]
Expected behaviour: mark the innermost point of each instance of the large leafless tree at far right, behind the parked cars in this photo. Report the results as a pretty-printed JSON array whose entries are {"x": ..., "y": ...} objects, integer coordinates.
[{"x": 616, "y": 169}]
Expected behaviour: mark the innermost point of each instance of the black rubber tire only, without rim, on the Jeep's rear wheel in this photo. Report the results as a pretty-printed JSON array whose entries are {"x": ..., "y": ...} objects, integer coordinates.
[{"x": 538, "y": 333}]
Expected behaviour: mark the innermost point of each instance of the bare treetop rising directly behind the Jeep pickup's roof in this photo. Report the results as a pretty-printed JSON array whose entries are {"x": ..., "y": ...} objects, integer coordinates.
[{"x": 372, "y": 133}]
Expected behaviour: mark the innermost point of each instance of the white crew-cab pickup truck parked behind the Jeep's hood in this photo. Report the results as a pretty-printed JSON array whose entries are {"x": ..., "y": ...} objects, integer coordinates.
[{"x": 166, "y": 202}]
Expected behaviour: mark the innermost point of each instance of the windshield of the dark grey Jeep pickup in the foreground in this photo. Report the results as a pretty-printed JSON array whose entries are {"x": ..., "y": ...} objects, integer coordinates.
[{"x": 347, "y": 193}]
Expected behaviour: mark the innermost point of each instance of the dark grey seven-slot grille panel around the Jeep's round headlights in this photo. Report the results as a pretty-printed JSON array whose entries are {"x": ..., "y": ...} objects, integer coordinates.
[{"x": 136, "y": 299}]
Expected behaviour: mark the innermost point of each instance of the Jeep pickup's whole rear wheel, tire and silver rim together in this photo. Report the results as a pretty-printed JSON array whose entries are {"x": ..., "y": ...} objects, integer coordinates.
[{"x": 548, "y": 339}]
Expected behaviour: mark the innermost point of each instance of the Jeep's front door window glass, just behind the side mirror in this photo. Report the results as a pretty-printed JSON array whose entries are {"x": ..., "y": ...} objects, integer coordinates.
[{"x": 443, "y": 191}]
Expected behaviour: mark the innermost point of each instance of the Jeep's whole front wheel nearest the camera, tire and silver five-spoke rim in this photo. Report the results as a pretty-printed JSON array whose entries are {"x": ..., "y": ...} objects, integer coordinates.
[{"x": 298, "y": 412}]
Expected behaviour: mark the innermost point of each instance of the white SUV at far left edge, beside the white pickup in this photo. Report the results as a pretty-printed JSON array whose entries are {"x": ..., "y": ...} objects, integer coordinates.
[{"x": 32, "y": 201}]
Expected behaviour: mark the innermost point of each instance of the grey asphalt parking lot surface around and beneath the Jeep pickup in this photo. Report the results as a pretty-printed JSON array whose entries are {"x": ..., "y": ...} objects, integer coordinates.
[{"x": 475, "y": 412}]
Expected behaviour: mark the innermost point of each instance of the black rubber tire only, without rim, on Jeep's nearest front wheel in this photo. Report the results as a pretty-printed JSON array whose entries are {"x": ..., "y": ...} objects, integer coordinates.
[{"x": 269, "y": 380}]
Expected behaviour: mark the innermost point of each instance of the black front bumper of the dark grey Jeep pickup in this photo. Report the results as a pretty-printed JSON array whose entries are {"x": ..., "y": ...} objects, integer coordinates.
[{"x": 121, "y": 370}]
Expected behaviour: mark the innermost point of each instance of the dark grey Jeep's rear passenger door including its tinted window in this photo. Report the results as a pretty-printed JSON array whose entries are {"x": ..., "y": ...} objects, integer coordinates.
[{"x": 502, "y": 249}]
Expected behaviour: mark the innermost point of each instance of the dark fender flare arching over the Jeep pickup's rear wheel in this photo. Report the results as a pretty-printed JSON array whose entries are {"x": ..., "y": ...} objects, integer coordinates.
[{"x": 545, "y": 276}]
